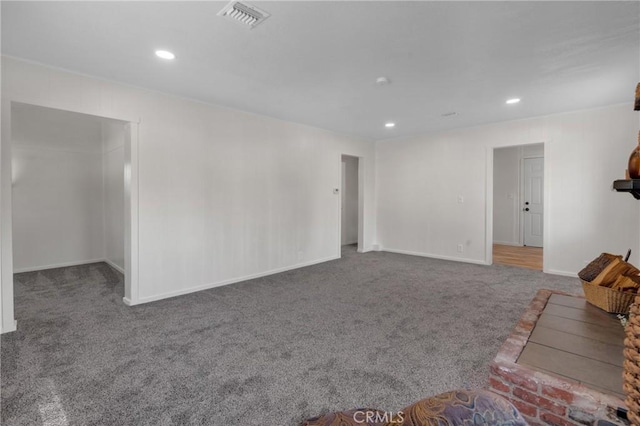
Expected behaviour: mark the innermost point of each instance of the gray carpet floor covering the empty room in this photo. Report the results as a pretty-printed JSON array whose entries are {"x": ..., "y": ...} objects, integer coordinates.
[{"x": 377, "y": 329}]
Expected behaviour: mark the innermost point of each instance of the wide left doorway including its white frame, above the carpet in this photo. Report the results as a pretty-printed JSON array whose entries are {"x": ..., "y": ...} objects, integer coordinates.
[{"x": 69, "y": 199}]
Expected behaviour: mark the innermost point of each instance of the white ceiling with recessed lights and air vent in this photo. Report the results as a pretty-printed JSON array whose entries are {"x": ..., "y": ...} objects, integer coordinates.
[{"x": 317, "y": 62}]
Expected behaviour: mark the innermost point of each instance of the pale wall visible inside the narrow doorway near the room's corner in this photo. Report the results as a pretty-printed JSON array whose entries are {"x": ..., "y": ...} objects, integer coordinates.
[{"x": 350, "y": 201}]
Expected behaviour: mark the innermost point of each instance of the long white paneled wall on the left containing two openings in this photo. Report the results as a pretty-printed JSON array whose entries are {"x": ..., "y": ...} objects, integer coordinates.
[{"x": 223, "y": 195}]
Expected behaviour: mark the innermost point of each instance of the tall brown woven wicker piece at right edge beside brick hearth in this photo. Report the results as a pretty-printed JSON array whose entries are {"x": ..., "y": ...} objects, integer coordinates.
[{"x": 631, "y": 368}]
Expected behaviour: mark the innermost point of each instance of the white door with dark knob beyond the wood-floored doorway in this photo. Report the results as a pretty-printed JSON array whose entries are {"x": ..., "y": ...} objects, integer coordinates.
[{"x": 533, "y": 201}]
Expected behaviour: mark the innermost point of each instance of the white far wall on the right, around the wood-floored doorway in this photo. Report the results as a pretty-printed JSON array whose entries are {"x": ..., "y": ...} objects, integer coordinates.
[{"x": 419, "y": 180}]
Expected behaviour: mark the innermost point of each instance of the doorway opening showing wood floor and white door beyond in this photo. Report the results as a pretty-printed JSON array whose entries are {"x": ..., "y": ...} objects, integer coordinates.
[{"x": 518, "y": 206}]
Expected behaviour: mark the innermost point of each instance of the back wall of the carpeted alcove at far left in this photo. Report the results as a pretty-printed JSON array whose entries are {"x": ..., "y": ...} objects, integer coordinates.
[{"x": 57, "y": 189}]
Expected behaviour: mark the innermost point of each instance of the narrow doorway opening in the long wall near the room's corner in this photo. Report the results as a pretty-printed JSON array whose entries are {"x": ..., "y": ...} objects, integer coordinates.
[{"x": 349, "y": 204}]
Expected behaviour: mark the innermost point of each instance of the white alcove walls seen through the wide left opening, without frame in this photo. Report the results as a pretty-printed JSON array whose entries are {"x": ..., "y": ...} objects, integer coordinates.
[{"x": 67, "y": 190}]
